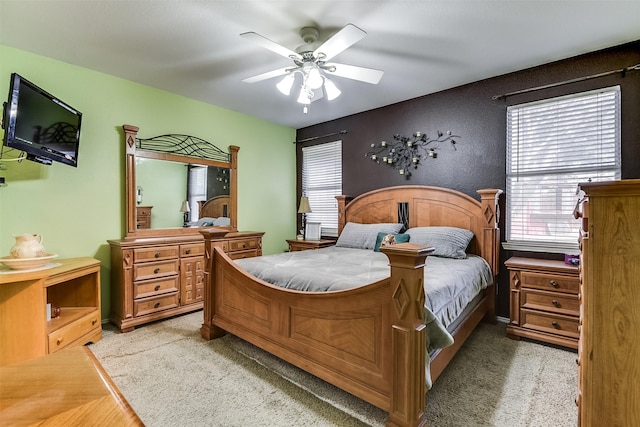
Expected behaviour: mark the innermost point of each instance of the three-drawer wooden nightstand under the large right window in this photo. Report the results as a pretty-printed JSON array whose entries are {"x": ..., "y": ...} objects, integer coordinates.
[{"x": 544, "y": 301}]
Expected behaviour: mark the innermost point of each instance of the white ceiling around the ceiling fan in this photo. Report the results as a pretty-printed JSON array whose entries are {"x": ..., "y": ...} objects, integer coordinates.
[{"x": 193, "y": 48}]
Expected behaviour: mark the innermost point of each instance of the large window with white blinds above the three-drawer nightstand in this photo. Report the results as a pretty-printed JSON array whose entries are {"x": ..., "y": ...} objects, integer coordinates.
[{"x": 552, "y": 145}]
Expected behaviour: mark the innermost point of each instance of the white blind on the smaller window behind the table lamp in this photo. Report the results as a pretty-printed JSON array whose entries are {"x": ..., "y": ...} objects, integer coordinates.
[{"x": 322, "y": 182}]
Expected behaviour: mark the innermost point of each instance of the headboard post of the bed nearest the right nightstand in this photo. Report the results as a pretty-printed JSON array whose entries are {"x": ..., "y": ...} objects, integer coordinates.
[{"x": 491, "y": 241}]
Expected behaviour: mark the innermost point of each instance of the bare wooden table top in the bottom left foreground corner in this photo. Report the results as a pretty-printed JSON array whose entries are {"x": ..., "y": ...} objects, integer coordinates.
[{"x": 68, "y": 388}]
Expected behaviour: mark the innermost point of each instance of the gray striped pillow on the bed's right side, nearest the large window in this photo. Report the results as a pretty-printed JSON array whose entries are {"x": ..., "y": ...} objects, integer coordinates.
[{"x": 449, "y": 242}]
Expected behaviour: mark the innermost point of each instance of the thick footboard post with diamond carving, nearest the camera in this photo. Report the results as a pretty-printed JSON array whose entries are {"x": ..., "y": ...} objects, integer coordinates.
[{"x": 408, "y": 334}]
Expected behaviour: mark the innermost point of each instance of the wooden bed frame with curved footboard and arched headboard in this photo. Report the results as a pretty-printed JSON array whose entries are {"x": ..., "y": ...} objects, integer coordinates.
[{"x": 369, "y": 341}]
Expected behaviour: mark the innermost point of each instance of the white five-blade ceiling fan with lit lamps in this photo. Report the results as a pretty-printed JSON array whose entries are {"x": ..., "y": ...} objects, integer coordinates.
[{"x": 311, "y": 63}]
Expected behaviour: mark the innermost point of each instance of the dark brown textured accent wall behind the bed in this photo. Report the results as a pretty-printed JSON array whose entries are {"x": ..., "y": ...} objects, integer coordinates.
[{"x": 469, "y": 111}]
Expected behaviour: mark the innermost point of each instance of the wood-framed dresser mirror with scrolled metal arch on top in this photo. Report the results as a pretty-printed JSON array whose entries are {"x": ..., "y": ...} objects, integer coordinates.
[{"x": 177, "y": 184}]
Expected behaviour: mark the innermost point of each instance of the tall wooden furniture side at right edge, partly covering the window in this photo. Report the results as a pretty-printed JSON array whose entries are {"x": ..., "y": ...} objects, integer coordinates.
[{"x": 609, "y": 348}]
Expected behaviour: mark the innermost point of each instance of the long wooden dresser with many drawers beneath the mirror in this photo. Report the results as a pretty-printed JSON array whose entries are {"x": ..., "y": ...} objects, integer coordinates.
[{"x": 156, "y": 278}]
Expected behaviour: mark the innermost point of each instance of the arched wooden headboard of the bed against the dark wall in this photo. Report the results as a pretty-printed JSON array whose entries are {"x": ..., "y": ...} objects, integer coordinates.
[{"x": 421, "y": 206}]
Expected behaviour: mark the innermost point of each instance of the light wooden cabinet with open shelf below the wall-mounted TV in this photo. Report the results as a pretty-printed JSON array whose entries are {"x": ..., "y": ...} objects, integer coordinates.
[{"x": 73, "y": 286}]
